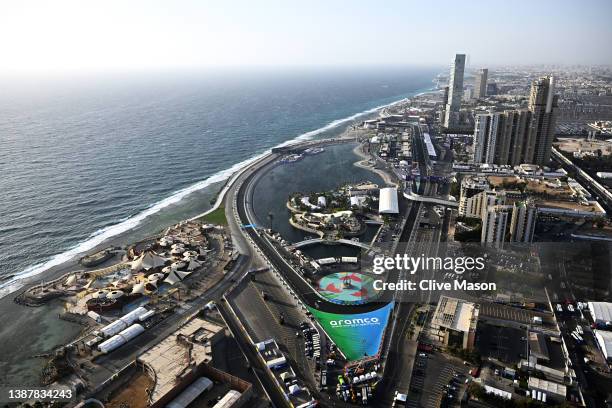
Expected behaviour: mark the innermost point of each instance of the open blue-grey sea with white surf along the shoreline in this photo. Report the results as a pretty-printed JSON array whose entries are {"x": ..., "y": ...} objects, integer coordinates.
[{"x": 84, "y": 159}]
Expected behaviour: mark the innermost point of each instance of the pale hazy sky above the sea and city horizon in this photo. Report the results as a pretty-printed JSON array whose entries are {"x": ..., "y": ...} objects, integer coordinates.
[{"x": 58, "y": 35}]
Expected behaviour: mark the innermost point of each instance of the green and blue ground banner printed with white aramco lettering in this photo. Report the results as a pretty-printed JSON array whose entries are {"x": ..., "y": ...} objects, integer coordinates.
[{"x": 356, "y": 335}]
